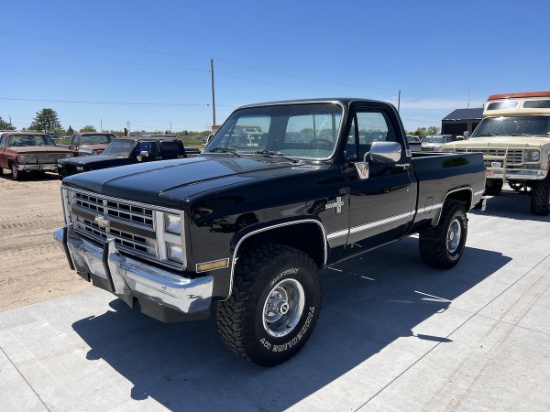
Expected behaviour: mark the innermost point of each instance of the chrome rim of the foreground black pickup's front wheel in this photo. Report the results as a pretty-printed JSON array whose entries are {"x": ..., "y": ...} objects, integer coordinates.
[{"x": 283, "y": 308}]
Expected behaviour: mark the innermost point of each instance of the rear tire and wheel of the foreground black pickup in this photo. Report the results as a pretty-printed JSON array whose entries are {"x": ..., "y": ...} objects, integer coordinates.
[{"x": 442, "y": 246}]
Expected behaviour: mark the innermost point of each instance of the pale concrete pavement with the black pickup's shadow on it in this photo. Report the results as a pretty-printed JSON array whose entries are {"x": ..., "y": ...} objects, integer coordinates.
[{"x": 393, "y": 335}]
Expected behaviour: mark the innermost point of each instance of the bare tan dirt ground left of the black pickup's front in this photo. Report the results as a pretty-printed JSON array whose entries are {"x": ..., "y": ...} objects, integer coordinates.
[{"x": 32, "y": 266}]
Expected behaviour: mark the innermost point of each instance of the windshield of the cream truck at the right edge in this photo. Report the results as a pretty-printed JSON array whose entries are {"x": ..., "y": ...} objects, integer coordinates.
[{"x": 536, "y": 126}]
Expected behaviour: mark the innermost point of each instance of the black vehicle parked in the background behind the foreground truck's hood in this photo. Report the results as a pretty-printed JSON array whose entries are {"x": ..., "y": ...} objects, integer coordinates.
[{"x": 127, "y": 151}]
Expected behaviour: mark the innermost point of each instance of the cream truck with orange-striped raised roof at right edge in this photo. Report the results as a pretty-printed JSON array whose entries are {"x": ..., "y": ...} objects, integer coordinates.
[{"x": 514, "y": 137}]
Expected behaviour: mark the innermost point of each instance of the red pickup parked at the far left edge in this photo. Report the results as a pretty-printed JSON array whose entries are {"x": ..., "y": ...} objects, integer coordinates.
[{"x": 29, "y": 152}]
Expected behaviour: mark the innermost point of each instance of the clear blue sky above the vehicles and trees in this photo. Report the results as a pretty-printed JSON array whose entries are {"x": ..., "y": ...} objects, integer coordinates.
[{"x": 147, "y": 64}]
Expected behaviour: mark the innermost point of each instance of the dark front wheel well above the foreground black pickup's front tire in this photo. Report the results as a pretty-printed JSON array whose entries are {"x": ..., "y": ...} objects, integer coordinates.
[{"x": 307, "y": 237}]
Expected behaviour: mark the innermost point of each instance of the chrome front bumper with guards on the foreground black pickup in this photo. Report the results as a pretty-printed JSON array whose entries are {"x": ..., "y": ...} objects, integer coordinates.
[{"x": 129, "y": 278}]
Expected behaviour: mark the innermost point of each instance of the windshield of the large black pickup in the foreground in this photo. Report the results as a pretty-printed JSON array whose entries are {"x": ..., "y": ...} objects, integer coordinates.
[{"x": 306, "y": 131}]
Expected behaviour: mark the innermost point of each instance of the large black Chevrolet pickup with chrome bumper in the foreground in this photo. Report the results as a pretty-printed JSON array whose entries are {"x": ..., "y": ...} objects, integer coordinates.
[{"x": 246, "y": 226}]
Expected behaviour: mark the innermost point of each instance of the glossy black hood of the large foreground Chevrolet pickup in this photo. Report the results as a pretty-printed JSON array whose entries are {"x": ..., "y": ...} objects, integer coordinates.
[{"x": 173, "y": 183}]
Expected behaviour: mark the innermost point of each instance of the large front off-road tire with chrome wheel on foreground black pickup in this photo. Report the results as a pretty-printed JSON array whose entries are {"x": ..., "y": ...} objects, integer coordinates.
[{"x": 274, "y": 305}]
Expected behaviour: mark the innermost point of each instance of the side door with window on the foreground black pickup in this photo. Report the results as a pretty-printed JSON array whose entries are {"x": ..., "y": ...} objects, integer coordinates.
[{"x": 381, "y": 202}]
